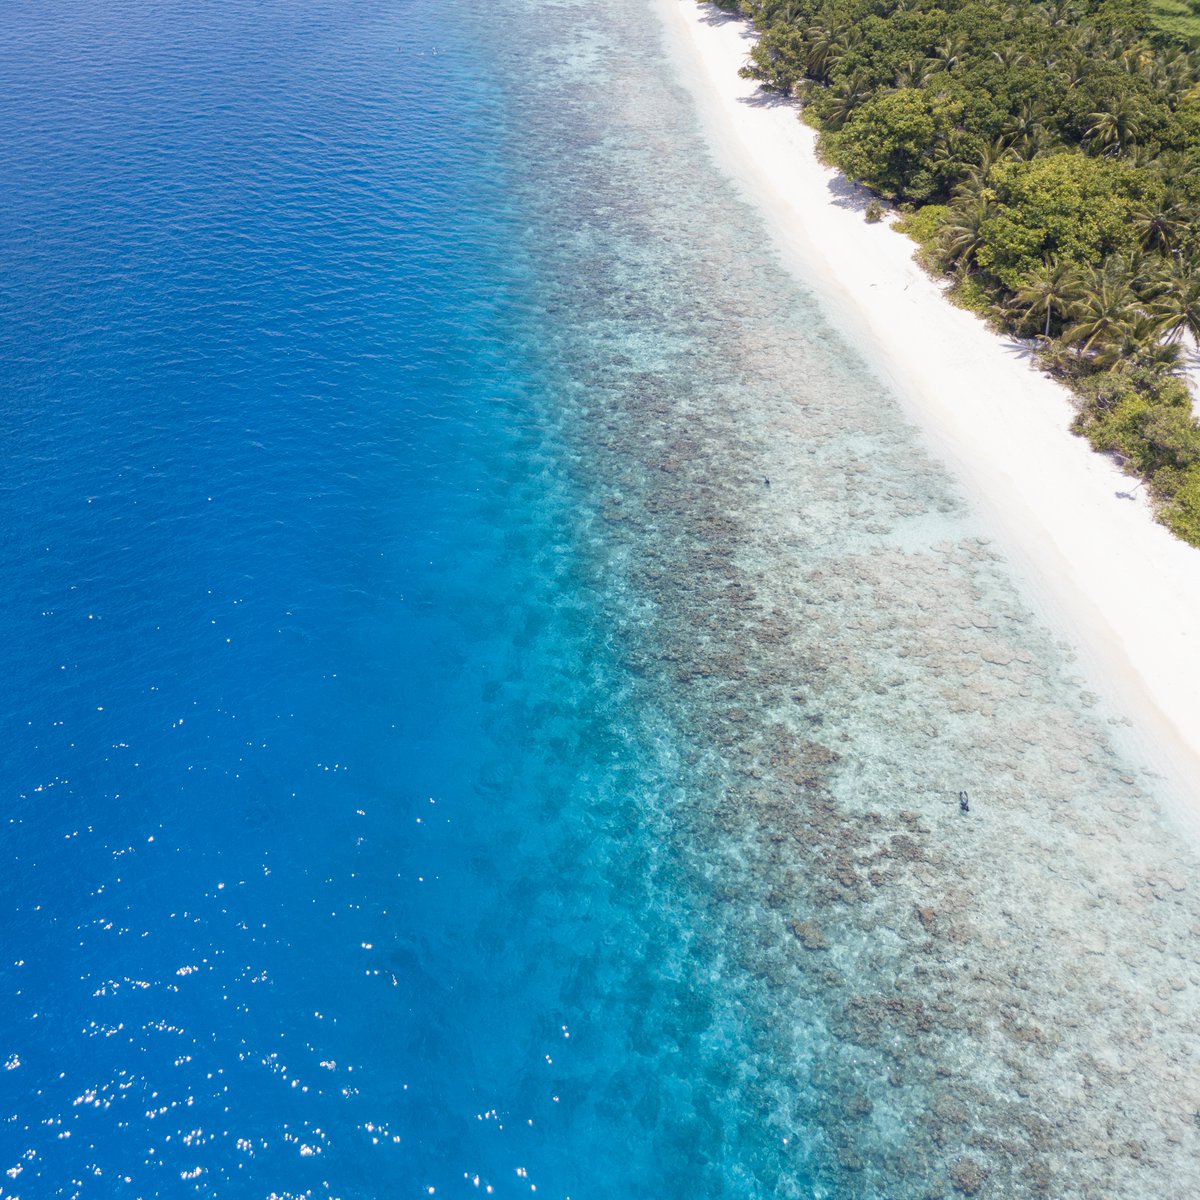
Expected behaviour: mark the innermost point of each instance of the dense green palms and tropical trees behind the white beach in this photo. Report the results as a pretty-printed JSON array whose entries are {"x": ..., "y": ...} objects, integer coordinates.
[{"x": 1047, "y": 157}]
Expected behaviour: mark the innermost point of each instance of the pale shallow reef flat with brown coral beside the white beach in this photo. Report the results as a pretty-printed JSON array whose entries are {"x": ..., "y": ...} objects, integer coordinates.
[{"x": 1001, "y": 1003}]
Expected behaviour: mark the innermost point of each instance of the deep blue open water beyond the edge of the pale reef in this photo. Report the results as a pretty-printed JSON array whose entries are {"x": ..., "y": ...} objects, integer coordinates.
[{"x": 314, "y": 754}]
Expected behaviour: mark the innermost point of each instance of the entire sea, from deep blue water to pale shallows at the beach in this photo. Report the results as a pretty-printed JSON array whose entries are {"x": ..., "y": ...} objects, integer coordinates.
[{"x": 441, "y": 761}]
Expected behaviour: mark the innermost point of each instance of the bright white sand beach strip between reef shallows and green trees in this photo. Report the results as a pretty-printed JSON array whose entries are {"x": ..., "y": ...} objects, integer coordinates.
[{"x": 1094, "y": 565}]
